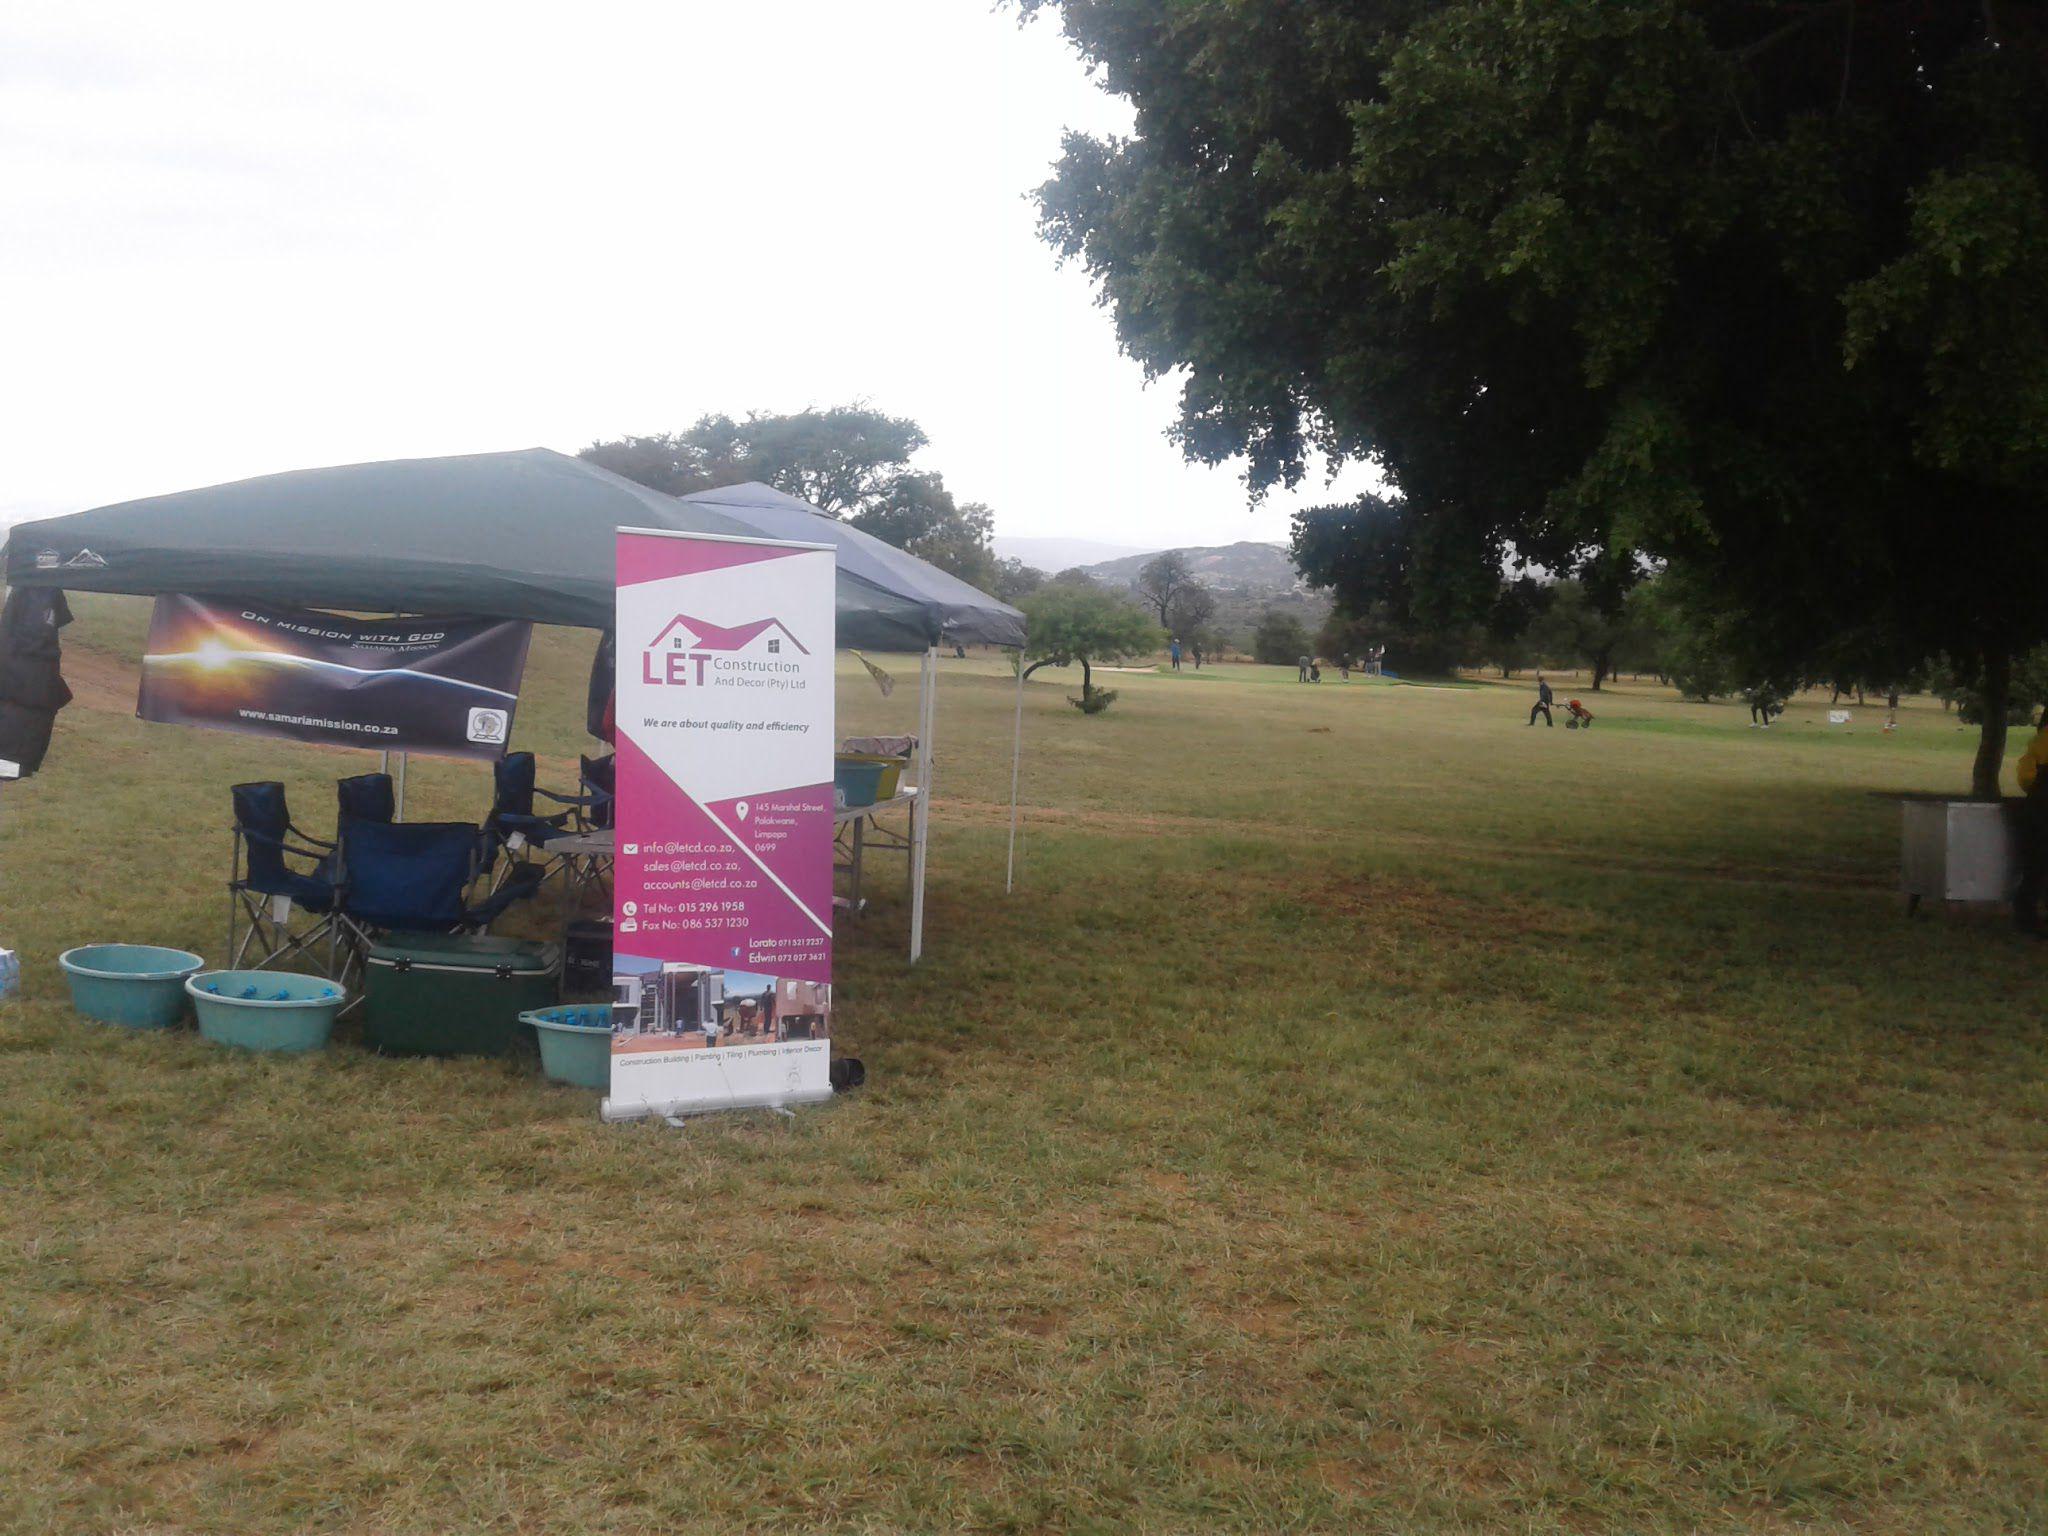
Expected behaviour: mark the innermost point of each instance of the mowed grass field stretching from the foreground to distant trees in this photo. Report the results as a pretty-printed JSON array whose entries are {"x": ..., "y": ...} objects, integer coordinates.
[{"x": 1369, "y": 1115}]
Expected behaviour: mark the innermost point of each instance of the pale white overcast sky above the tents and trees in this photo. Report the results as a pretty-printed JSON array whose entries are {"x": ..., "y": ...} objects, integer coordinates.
[{"x": 253, "y": 239}]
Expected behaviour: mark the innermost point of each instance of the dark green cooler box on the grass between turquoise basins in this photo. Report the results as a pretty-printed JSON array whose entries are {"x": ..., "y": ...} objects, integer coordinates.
[{"x": 456, "y": 994}]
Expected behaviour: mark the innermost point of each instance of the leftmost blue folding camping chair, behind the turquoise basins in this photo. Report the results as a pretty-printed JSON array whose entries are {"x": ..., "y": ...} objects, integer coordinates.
[{"x": 265, "y": 890}]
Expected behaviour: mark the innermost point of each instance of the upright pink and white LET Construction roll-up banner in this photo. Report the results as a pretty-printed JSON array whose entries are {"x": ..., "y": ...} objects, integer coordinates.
[{"x": 724, "y": 822}]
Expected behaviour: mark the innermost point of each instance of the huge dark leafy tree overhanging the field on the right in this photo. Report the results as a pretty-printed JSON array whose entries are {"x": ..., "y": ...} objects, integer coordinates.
[{"x": 1756, "y": 290}]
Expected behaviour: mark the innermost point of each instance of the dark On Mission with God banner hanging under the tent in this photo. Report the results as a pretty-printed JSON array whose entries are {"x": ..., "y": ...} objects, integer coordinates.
[{"x": 445, "y": 687}]
